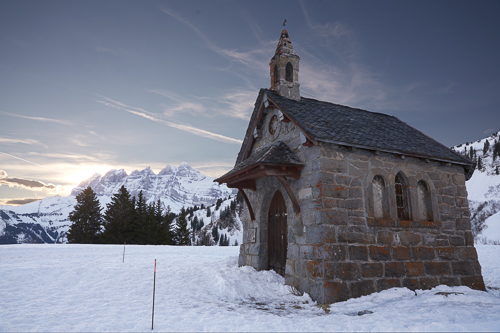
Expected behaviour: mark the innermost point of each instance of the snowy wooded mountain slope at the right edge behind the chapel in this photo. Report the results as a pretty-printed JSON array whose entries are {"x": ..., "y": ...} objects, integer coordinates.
[{"x": 484, "y": 187}]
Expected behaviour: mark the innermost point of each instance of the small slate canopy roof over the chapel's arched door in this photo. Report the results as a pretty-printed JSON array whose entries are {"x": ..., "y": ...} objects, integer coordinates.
[{"x": 276, "y": 154}]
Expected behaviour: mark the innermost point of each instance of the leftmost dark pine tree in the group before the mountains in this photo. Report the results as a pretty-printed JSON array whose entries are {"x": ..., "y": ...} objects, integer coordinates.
[{"x": 86, "y": 218}]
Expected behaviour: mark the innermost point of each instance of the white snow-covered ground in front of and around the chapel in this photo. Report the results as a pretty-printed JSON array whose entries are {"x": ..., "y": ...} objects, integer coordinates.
[{"x": 87, "y": 288}]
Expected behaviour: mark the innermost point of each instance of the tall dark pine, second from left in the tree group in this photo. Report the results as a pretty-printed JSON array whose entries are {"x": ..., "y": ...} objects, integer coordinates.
[{"x": 118, "y": 218}]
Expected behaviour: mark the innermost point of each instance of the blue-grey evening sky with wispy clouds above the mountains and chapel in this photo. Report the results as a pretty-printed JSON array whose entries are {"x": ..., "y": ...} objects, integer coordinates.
[{"x": 89, "y": 86}]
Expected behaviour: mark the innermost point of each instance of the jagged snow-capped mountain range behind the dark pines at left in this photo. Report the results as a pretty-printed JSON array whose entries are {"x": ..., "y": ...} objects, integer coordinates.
[{"x": 46, "y": 221}]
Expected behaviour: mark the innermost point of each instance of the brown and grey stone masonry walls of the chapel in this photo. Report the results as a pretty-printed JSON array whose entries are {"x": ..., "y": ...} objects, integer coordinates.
[{"x": 338, "y": 249}]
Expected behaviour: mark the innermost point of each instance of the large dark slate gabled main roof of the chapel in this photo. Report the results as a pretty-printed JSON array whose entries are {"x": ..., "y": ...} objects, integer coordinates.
[{"x": 334, "y": 123}]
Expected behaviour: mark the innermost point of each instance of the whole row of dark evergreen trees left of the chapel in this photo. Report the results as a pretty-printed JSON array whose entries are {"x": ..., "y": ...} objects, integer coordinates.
[{"x": 126, "y": 219}]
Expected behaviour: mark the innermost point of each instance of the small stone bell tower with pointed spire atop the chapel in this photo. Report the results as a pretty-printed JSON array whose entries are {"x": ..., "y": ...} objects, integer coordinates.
[{"x": 284, "y": 69}]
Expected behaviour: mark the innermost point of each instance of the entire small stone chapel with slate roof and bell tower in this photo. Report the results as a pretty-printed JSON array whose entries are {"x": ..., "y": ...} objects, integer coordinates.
[{"x": 345, "y": 202}]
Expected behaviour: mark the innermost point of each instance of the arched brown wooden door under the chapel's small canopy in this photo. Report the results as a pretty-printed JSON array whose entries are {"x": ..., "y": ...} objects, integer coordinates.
[{"x": 277, "y": 234}]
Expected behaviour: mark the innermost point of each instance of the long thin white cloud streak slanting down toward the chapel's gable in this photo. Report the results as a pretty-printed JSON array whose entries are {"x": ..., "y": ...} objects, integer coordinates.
[{"x": 158, "y": 118}]
